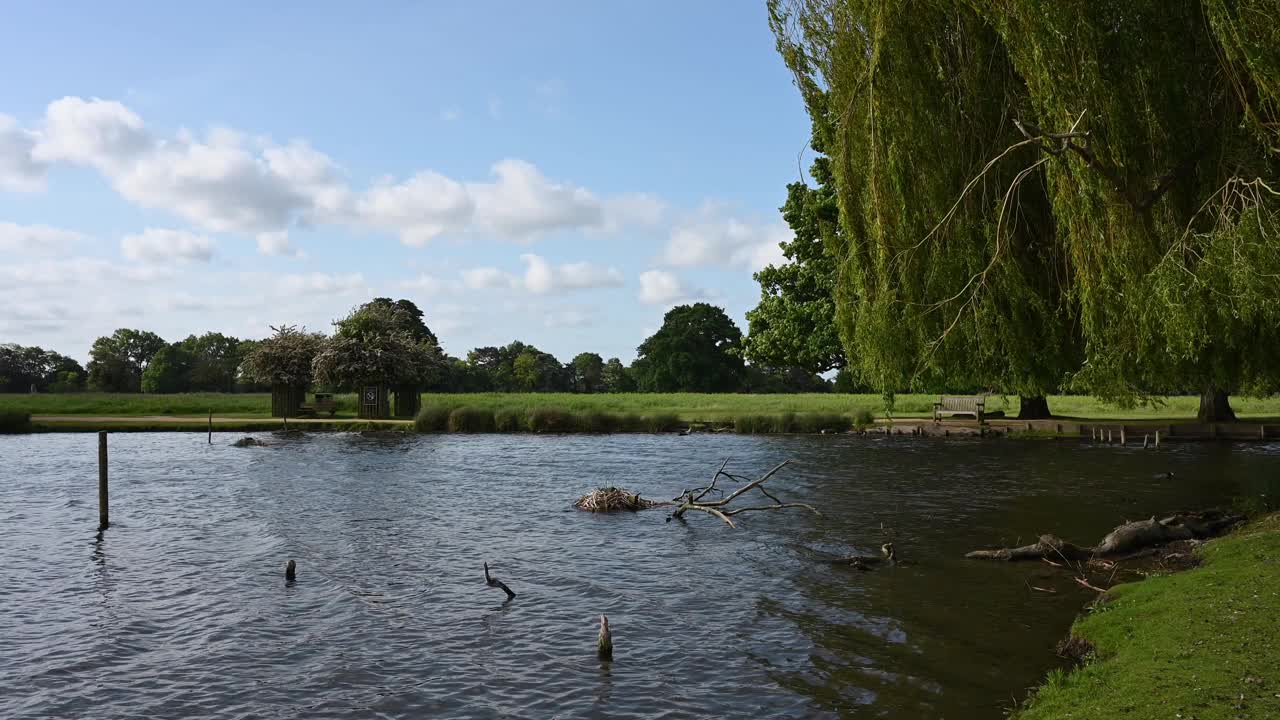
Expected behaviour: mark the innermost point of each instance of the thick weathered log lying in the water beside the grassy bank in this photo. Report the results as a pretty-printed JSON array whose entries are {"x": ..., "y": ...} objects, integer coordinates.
[{"x": 1126, "y": 540}]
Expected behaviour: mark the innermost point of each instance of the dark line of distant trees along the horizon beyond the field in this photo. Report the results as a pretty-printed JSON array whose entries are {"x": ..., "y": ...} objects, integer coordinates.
[{"x": 698, "y": 349}]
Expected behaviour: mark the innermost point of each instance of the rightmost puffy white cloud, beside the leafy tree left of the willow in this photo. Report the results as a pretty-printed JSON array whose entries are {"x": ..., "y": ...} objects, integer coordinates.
[{"x": 715, "y": 238}]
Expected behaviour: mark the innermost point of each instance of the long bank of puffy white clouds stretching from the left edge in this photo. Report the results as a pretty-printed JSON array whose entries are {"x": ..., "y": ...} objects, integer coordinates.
[{"x": 226, "y": 184}]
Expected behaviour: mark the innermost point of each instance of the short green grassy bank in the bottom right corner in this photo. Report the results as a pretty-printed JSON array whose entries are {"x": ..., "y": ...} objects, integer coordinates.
[{"x": 1200, "y": 644}]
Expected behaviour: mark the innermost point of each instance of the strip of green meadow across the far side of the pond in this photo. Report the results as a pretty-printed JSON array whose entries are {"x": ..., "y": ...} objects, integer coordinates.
[{"x": 687, "y": 407}]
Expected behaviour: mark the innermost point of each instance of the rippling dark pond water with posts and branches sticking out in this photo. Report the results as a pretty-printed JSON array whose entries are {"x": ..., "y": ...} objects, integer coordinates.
[{"x": 182, "y": 609}]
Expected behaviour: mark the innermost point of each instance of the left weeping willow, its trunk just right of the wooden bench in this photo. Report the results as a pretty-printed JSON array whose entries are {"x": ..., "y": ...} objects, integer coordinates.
[{"x": 949, "y": 272}]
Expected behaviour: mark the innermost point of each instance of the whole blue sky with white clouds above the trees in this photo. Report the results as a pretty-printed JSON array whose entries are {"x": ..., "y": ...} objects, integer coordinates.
[{"x": 559, "y": 174}]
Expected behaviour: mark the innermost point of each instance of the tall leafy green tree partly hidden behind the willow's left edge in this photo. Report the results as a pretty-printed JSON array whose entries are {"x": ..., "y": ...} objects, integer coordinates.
[{"x": 796, "y": 323}]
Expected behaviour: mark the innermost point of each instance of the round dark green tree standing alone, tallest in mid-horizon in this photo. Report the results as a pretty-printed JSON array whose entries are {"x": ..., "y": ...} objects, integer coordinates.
[{"x": 698, "y": 349}]
